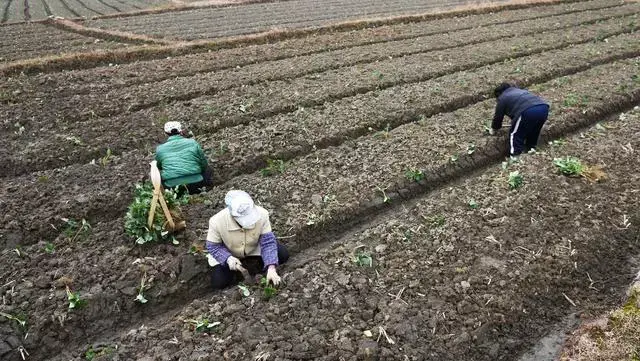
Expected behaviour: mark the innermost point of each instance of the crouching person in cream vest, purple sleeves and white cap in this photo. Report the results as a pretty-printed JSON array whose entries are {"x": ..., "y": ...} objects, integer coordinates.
[{"x": 242, "y": 230}]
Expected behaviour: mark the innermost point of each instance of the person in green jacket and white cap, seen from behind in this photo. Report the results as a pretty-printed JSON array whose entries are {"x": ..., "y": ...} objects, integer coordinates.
[{"x": 182, "y": 162}]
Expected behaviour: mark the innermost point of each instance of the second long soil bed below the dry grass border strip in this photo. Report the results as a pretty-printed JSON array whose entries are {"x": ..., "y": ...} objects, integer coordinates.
[{"x": 115, "y": 101}]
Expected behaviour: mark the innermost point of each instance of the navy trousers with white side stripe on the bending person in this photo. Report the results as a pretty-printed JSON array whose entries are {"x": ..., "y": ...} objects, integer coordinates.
[{"x": 525, "y": 130}]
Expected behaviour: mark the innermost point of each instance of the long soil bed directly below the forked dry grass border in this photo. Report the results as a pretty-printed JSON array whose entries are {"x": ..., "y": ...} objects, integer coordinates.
[{"x": 157, "y": 70}]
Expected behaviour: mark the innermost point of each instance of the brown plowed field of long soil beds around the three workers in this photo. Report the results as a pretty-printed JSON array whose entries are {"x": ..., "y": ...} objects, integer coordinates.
[{"x": 463, "y": 267}]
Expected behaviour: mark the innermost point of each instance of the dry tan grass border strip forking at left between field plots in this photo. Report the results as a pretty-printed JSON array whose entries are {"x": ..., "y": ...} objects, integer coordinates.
[{"x": 164, "y": 48}]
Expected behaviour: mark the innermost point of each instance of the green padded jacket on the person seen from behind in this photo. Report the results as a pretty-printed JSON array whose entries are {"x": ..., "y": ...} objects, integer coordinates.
[{"x": 181, "y": 161}]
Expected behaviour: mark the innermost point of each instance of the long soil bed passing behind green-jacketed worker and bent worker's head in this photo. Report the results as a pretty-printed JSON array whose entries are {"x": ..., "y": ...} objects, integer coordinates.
[{"x": 298, "y": 135}]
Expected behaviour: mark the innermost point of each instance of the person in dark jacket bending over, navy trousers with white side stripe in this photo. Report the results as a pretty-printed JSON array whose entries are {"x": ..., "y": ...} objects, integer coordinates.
[{"x": 528, "y": 113}]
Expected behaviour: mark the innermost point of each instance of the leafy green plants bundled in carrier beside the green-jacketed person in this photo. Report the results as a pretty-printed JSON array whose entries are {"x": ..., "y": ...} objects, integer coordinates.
[{"x": 138, "y": 213}]
